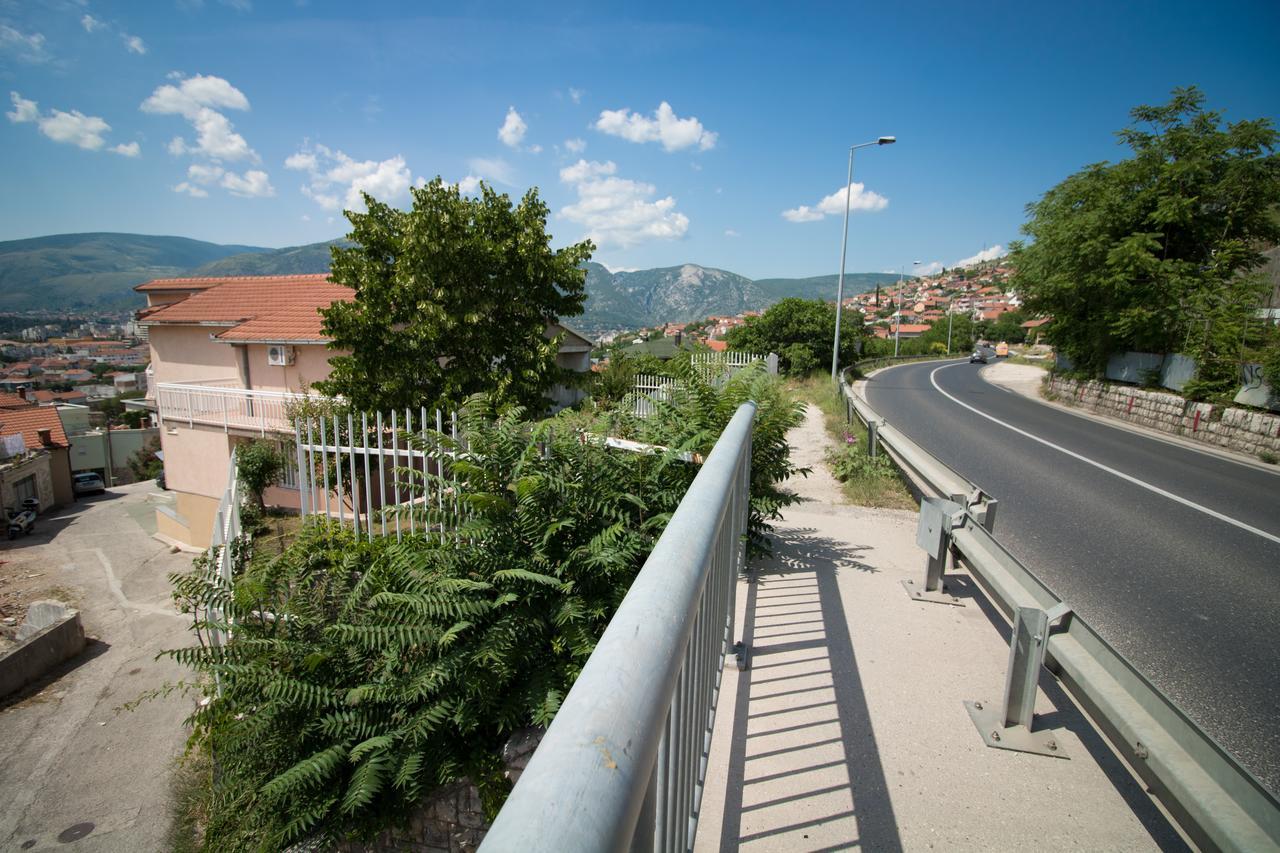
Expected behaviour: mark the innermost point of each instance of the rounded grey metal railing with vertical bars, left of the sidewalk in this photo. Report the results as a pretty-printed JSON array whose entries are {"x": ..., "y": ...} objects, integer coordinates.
[{"x": 623, "y": 765}]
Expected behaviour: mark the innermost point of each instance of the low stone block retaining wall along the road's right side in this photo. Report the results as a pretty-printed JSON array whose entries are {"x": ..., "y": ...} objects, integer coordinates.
[{"x": 1237, "y": 430}]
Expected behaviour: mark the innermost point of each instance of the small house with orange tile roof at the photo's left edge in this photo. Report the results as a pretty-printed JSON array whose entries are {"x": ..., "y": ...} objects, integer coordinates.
[{"x": 42, "y": 469}]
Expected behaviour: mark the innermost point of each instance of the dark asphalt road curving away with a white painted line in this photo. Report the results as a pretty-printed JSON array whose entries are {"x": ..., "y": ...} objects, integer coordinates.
[{"x": 1191, "y": 599}]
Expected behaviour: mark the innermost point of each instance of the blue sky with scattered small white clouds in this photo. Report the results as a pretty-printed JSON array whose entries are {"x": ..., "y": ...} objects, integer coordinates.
[{"x": 714, "y": 134}]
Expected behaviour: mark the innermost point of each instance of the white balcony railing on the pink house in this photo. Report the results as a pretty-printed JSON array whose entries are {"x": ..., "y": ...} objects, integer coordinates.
[{"x": 212, "y": 404}]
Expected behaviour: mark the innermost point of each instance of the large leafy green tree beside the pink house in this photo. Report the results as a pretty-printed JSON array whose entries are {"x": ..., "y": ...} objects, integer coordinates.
[{"x": 452, "y": 298}]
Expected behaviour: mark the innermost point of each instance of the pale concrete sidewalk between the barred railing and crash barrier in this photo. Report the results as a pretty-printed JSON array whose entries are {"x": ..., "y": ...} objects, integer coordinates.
[{"x": 849, "y": 729}]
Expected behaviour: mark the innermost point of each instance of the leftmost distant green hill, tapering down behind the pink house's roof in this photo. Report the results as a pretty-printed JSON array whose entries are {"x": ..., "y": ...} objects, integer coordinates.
[{"x": 97, "y": 271}]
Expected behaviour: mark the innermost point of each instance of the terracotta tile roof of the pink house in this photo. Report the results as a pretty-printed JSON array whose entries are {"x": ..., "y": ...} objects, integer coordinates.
[{"x": 260, "y": 308}]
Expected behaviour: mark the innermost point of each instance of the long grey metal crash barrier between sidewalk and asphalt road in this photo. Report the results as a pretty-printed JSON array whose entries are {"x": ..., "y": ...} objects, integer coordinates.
[{"x": 1217, "y": 802}]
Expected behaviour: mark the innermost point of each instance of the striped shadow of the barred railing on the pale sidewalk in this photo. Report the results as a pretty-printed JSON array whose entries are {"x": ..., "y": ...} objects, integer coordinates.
[{"x": 804, "y": 770}]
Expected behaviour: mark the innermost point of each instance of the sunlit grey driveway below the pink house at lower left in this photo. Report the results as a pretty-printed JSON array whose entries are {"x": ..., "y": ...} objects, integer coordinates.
[{"x": 80, "y": 772}]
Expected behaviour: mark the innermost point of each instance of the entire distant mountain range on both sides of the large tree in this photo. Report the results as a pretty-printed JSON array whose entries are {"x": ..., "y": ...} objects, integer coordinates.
[{"x": 99, "y": 271}]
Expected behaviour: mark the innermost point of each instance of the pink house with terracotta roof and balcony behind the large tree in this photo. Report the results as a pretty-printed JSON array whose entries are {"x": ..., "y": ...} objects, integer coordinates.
[{"x": 230, "y": 357}]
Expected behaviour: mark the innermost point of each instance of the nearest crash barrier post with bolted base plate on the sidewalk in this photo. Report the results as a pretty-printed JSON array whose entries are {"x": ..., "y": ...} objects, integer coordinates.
[{"x": 1011, "y": 727}]
